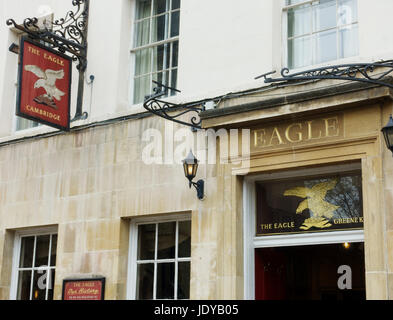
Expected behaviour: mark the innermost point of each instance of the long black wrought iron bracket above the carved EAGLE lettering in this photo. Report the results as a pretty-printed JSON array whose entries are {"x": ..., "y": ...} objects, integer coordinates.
[{"x": 354, "y": 72}]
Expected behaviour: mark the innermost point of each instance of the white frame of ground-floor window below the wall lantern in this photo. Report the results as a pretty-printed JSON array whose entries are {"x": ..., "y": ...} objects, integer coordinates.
[{"x": 133, "y": 249}]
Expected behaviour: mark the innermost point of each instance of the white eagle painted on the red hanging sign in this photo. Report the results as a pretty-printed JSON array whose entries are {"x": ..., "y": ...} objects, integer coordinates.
[{"x": 47, "y": 80}]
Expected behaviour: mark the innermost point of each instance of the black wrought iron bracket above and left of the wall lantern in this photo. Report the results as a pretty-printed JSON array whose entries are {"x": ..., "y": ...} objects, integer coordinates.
[{"x": 171, "y": 111}]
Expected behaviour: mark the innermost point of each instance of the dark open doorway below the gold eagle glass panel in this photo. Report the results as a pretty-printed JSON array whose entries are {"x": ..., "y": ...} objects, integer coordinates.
[{"x": 314, "y": 272}]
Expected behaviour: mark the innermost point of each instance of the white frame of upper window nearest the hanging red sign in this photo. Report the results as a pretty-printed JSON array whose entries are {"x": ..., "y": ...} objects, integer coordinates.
[{"x": 170, "y": 41}]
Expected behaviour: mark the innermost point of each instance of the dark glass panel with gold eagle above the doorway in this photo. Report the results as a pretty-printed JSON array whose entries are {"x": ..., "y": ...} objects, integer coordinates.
[{"x": 328, "y": 203}]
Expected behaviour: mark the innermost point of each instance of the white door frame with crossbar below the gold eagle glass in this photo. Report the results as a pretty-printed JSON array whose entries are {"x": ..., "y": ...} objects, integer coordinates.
[{"x": 252, "y": 242}]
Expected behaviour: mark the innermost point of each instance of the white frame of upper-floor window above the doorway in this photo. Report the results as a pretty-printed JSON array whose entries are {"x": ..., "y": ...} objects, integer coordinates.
[{"x": 284, "y": 10}]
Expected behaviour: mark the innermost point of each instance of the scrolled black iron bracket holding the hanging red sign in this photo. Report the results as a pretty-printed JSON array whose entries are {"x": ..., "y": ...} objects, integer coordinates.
[{"x": 67, "y": 35}]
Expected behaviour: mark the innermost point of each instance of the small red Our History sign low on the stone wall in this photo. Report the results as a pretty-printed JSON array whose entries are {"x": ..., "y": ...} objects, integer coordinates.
[{"x": 84, "y": 289}]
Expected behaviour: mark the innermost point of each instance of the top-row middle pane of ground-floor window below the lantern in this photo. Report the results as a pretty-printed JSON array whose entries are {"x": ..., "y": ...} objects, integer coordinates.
[{"x": 166, "y": 240}]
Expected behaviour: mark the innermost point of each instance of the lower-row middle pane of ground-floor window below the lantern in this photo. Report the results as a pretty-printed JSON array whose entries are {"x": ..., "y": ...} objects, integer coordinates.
[{"x": 165, "y": 281}]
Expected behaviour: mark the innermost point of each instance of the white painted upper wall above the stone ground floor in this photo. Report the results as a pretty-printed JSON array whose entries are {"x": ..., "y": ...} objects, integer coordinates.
[{"x": 224, "y": 44}]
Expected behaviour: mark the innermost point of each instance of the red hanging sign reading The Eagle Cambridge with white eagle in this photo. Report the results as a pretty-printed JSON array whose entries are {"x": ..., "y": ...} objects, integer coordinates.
[{"x": 44, "y": 85}]
